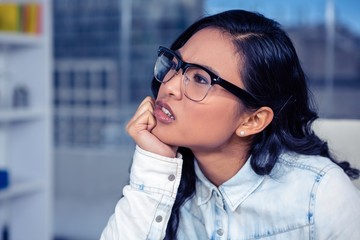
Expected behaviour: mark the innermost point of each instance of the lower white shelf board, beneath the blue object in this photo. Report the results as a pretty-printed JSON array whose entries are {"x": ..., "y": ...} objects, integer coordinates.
[{"x": 20, "y": 188}]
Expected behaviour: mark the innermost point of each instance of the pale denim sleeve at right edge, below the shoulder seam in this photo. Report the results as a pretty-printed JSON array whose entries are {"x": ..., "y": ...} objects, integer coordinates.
[{"x": 337, "y": 209}]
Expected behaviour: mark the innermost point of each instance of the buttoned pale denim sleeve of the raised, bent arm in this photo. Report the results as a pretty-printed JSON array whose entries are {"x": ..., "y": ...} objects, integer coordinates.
[{"x": 144, "y": 210}]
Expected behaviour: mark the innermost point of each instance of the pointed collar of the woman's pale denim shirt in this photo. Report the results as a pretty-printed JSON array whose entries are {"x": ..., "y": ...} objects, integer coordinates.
[{"x": 234, "y": 191}]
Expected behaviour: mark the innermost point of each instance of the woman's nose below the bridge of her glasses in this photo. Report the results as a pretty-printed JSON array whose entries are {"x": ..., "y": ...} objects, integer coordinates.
[{"x": 173, "y": 87}]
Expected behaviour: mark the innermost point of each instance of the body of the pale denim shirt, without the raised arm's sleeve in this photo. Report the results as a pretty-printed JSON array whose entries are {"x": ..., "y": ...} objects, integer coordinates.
[{"x": 304, "y": 197}]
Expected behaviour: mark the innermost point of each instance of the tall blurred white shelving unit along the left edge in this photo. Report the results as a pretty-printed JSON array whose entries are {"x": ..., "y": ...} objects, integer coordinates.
[{"x": 26, "y": 129}]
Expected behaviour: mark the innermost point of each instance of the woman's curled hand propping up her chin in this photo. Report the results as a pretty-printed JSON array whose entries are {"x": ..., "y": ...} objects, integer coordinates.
[{"x": 139, "y": 128}]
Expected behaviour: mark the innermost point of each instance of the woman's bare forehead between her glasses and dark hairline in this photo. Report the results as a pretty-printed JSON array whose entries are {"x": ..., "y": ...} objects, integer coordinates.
[{"x": 213, "y": 48}]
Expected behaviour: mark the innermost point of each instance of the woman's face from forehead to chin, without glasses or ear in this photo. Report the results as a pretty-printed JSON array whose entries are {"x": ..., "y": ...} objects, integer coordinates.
[{"x": 211, "y": 123}]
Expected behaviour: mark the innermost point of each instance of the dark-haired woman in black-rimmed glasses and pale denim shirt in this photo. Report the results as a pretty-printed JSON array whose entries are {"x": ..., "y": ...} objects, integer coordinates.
[{"x": 226, "y": 151}]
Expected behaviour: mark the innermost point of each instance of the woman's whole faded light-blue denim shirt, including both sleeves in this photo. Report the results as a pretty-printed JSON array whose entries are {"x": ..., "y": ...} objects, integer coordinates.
[{"x": 304, "y": 197}]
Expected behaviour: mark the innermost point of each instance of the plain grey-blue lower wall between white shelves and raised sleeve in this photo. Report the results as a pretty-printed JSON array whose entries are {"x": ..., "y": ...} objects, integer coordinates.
[{"x": 87, "y": 186}]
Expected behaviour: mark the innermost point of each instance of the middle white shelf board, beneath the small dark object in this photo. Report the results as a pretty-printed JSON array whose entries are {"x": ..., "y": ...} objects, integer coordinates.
[{"x": 8, "y": 116}]
